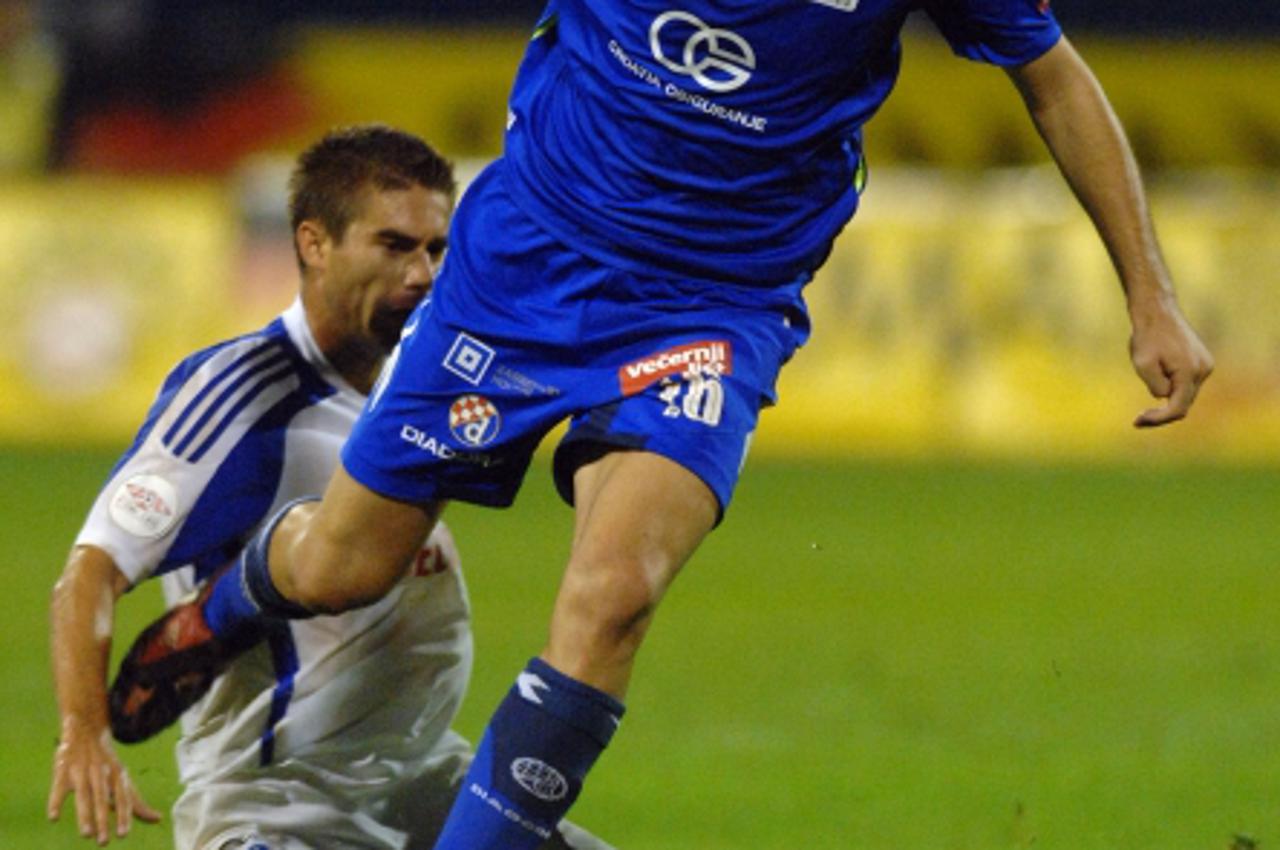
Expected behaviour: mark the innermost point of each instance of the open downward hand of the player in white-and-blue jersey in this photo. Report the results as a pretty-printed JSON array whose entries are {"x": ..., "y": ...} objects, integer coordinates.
[{"x": 85, "y": 765}]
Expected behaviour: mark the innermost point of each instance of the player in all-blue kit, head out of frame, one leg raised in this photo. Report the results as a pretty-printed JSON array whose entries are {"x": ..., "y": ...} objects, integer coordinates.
[{"x": 675, "y": 172}]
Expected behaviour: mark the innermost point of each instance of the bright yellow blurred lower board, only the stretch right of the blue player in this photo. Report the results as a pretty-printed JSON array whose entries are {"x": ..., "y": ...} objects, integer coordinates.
[{"x": 980, "y": 314}]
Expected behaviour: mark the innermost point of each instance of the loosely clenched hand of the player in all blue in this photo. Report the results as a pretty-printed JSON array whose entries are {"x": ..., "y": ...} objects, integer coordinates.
[{"x": 1171, "y": 359}]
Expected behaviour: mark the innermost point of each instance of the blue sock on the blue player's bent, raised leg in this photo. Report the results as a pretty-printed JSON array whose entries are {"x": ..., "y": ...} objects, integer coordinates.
[{"x": 244, "y": 598}]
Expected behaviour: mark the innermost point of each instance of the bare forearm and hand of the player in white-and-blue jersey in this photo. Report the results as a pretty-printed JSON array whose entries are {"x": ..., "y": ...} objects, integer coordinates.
[{"x": 85, "y": 762}]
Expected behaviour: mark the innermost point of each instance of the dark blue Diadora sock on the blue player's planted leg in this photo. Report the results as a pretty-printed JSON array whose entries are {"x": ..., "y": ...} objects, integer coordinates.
[{"x": 532, "y": 762}]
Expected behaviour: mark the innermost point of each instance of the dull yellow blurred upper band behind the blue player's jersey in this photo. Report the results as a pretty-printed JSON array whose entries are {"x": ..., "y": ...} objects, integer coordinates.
[{"x": 1186, "y": 104}]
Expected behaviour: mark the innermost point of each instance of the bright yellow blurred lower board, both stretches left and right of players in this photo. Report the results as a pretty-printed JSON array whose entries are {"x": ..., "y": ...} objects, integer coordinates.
[{"x": 958, "y": 314}]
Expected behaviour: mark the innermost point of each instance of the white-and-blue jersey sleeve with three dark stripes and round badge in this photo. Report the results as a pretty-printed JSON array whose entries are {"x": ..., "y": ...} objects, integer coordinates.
[{"x": 205, "y": 465}]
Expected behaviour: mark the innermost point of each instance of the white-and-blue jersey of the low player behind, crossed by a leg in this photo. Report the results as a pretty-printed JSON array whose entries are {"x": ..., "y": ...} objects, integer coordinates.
[{"x": 237, "y": 431}]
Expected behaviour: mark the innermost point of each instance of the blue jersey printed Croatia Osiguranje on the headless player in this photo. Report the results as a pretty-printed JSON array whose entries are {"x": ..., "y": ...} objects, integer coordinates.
[{"x": 721, "y": 139}]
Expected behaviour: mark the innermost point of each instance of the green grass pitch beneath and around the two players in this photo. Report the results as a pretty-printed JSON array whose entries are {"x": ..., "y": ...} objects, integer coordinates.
[{"x": 892, "y": 656}]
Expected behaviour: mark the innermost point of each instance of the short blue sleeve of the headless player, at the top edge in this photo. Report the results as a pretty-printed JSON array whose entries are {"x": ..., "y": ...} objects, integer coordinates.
[{"x": 1002, "y": 33}]
